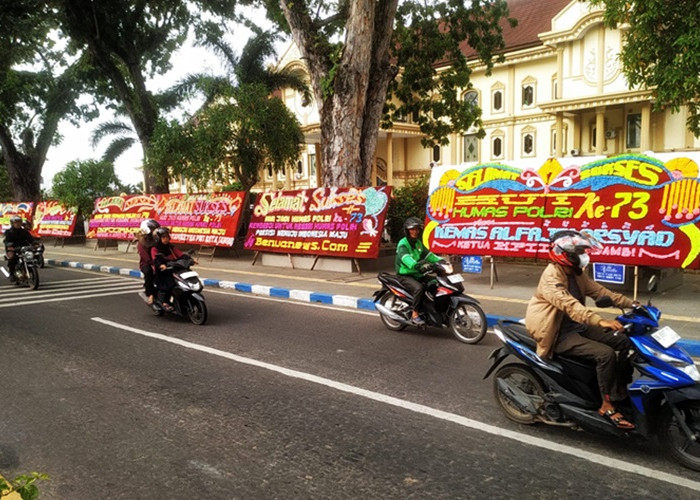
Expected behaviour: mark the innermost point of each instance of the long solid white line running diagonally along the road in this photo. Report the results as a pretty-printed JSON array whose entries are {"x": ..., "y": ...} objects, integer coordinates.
[{"x": 425, "y": 410}]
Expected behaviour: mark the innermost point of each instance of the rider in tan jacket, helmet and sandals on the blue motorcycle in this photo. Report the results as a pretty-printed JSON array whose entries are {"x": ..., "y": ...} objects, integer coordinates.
[{"x": 559, "y": 321}]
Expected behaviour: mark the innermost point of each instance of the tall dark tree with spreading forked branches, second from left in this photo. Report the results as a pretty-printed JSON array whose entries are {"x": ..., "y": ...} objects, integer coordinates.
[{"x": 127, "y": 42}]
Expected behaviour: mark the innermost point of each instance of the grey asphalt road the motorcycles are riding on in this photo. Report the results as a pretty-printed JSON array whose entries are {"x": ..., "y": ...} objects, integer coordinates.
[{"x": 274, "y": 399}]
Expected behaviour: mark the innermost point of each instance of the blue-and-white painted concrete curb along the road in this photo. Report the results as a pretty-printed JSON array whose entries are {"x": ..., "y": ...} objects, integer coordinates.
[{"x": 692, "y": 346}]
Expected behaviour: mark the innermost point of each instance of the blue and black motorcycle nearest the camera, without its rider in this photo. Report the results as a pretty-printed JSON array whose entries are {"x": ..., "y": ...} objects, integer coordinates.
[{"x": 664, "y": 395}]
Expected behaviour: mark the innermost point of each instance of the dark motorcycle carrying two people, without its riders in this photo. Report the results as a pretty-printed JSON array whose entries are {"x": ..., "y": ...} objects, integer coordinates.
[{"x": 186, "y": 297}]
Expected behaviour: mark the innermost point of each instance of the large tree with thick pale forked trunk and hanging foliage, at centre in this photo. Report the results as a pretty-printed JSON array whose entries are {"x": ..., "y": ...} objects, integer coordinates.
[{"x": 387, "y": 51}]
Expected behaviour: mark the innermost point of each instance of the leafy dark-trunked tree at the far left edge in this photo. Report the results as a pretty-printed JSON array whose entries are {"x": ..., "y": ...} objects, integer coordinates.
[{"x": 35, "y": 98}]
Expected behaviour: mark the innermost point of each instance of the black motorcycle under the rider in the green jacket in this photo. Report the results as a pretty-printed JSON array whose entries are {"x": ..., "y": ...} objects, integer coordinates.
[{"x": 444, "y": 304}]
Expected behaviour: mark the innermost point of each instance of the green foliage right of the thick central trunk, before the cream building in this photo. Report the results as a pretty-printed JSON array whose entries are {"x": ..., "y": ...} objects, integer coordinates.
[{"x": 426, "y": 33}]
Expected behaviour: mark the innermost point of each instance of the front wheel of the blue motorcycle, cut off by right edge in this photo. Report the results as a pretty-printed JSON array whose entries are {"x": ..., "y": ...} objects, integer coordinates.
[{"x": 674, "y": 440}]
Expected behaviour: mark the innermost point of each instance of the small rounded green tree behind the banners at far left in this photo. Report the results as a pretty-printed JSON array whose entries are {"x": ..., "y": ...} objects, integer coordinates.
[{"x": 81, "y": 182}]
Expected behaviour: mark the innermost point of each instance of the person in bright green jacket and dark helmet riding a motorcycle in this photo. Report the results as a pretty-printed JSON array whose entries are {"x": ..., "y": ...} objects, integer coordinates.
[{"x": 411, "y": 262}]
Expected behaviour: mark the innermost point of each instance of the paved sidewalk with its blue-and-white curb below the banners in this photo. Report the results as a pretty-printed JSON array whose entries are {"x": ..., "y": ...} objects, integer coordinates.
[{"x": 507, "y": 299}]
